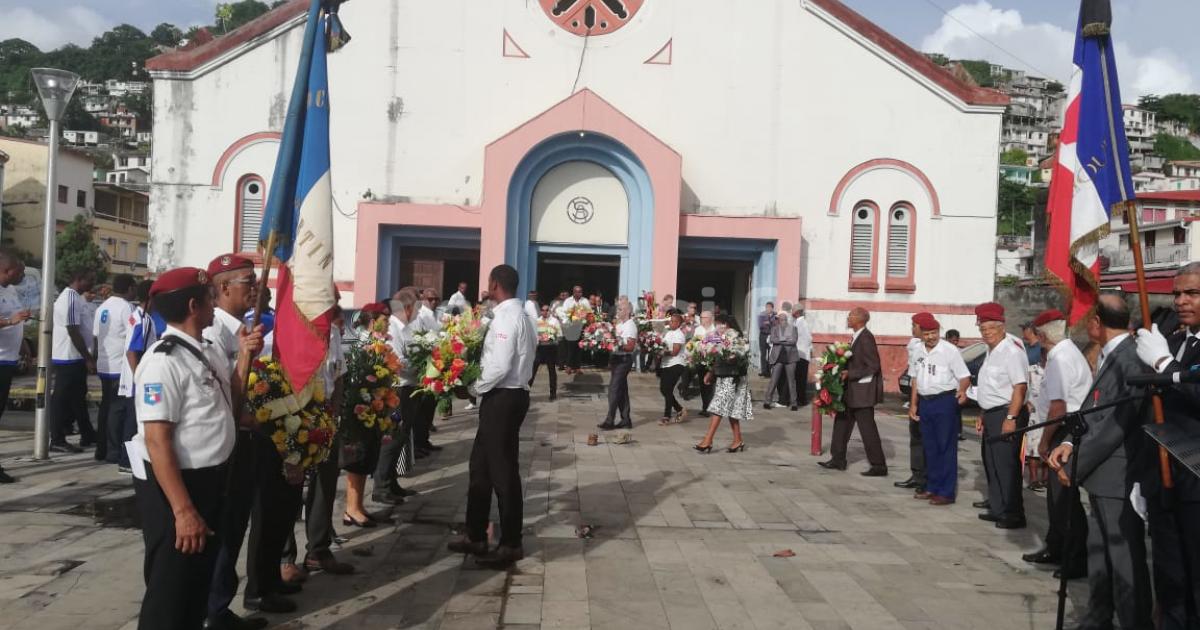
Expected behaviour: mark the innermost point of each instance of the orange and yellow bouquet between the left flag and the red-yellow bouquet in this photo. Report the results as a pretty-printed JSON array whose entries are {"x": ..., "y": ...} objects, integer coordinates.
[{"x": 373, "y": 370}]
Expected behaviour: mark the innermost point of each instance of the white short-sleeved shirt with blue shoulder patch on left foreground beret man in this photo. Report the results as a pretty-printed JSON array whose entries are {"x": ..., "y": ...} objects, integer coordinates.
[{"x": 190, "y": 394}]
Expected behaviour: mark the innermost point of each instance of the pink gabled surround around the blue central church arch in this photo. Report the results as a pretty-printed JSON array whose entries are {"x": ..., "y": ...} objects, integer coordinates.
[{"x": 589, "y": 113}]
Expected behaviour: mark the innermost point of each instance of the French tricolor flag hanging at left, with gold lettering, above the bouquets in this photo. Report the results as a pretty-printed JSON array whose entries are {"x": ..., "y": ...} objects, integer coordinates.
[{"x": 299, "y": 212}]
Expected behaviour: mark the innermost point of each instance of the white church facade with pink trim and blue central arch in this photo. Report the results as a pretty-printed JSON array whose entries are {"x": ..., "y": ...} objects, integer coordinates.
[{"x": 698, "y": 148}]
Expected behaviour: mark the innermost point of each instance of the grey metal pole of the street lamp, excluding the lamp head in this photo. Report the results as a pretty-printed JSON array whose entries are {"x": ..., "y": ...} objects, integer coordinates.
[{"x": 46, "y": 317}]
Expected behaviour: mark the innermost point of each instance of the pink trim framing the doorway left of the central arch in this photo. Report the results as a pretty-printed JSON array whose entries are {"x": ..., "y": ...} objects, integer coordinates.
[{"x": 374, "y": 217}]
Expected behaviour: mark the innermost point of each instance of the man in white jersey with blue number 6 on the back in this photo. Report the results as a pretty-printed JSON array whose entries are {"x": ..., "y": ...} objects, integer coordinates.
[{"x": 111, "y": 327}]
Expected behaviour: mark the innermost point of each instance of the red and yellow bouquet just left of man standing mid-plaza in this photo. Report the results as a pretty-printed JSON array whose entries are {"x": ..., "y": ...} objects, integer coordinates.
[{"x": 452, "y": 359}]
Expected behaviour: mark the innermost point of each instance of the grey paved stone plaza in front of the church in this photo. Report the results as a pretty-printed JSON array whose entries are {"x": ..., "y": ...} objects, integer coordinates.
[{"x": 683, "y": 542}]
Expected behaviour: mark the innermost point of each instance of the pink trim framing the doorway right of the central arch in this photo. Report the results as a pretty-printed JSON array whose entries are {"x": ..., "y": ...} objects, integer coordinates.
[{"x": 787, "y": 232}]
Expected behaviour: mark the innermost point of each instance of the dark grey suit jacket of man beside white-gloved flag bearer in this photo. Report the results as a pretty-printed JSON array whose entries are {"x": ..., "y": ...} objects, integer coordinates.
[{"x": 1114, "y": 436}]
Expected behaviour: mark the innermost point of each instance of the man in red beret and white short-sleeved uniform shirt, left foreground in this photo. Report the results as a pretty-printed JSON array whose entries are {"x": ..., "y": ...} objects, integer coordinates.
[{"x": 187, "y": 401}]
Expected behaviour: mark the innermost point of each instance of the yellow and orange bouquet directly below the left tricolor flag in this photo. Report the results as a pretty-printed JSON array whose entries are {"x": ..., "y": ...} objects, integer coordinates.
[{"x": 299, "y": 424}]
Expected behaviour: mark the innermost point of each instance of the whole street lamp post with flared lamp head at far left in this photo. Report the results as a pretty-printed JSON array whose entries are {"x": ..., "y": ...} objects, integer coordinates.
[{"x": 56, "y": 88}]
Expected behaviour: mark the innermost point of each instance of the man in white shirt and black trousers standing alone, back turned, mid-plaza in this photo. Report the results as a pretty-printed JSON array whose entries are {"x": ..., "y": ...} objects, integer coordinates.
[{"x": 505, "y": 388}]
